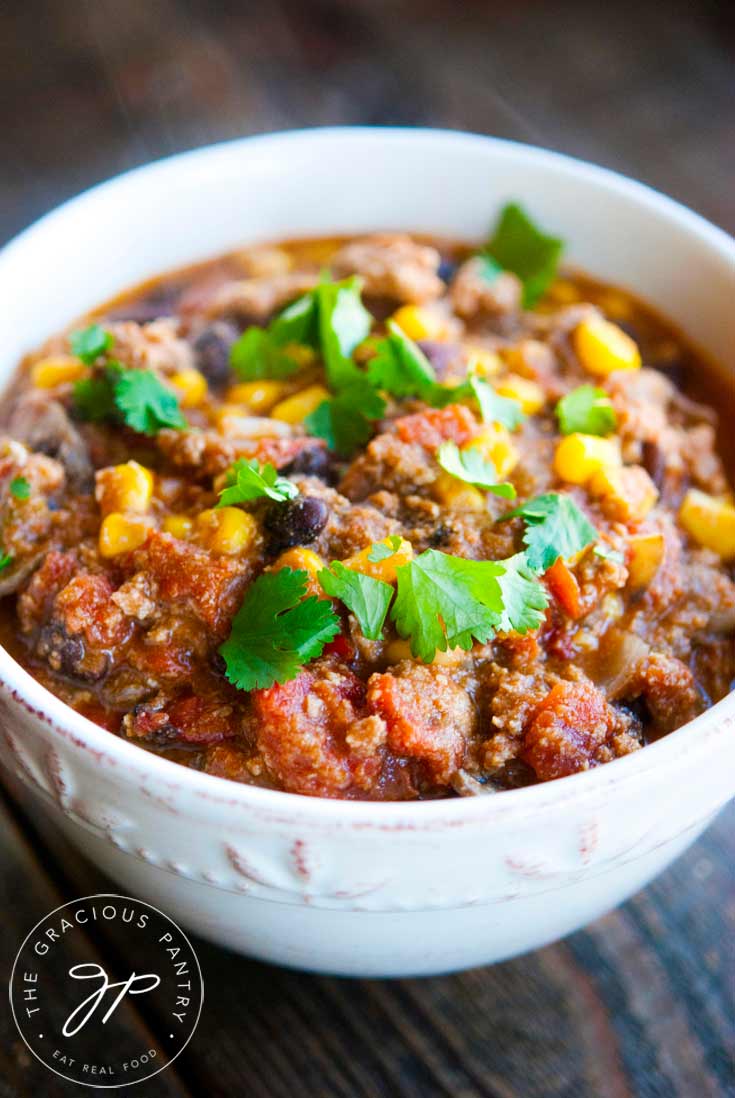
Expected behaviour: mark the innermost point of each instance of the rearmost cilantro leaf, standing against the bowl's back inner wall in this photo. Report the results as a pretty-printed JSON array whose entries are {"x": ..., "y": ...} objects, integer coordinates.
[{"x": 520, "y": 247}]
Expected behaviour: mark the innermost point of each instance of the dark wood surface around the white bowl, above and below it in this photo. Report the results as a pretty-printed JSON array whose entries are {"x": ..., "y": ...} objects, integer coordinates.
[{"x": 639, "y": 1005}]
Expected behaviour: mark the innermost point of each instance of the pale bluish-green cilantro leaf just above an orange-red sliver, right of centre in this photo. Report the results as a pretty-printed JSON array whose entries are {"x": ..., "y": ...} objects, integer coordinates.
[{"x": 555, "y": 528}]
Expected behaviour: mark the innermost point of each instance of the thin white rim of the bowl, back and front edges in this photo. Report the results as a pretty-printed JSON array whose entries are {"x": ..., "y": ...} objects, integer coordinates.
[{"x": 139, "y": 765}]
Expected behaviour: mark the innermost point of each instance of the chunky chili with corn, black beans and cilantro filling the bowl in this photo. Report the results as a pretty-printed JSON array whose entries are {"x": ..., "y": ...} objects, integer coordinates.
[{"x": 380, "y": 518}]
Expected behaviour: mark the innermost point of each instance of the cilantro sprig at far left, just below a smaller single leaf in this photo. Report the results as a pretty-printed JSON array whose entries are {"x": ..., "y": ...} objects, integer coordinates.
[{"x": 137, "y": 397}]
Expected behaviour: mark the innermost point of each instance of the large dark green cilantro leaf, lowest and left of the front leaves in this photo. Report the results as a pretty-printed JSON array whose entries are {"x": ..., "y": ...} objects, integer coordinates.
[{"x": 277, "y": 631}]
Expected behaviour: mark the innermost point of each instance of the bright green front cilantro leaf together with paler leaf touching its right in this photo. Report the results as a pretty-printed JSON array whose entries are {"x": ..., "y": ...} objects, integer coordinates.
[{"x": 448, "y": 602}]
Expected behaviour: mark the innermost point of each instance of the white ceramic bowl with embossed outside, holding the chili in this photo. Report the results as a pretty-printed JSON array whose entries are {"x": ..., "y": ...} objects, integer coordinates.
[{"x": 329, "y": 886}]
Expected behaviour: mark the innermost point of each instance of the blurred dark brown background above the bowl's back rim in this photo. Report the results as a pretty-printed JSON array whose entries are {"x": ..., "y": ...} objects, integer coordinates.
[{"x": 90, "y": 88}]
